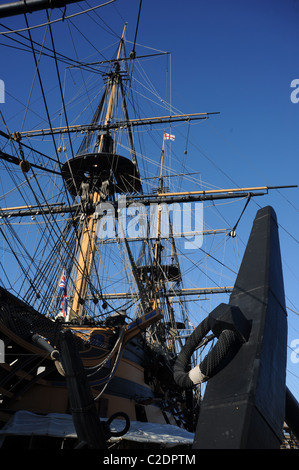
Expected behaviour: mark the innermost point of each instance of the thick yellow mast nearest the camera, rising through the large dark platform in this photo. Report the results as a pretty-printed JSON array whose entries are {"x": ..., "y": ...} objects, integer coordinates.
[{"x": 87, "y": 242}]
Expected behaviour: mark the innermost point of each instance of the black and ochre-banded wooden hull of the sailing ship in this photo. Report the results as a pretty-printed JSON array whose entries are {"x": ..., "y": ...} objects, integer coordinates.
[{"x": 126, "y": 382}]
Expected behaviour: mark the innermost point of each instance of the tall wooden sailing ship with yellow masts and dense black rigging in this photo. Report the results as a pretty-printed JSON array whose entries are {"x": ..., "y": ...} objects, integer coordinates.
[{"x": 99, "y": 242}]
